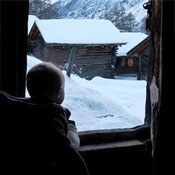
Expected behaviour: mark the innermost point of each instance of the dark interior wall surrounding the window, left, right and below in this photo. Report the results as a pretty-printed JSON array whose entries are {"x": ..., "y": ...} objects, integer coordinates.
[{"x": 143, "y": 150}]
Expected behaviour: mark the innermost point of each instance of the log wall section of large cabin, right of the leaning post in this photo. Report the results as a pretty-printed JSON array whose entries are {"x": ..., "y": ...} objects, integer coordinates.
[{"x": 93, "y": 61}]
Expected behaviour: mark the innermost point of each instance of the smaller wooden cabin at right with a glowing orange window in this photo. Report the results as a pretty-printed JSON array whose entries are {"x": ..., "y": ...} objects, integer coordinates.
[{"x": 132, "y": 61}]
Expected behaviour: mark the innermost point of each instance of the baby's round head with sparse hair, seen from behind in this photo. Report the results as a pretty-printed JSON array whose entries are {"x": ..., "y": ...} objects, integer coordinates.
[{"x": 46, "y": 82}]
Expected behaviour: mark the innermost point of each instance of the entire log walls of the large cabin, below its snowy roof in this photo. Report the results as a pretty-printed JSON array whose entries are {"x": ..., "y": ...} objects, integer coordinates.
[{"x": 89, "y": 61}]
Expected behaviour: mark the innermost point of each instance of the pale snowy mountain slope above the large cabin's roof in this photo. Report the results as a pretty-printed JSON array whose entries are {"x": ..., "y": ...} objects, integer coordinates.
[{"x": 96, "y": 8}]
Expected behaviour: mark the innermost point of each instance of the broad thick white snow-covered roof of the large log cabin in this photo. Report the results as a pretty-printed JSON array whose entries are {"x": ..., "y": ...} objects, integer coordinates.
[{"x": 79, "y": 31}]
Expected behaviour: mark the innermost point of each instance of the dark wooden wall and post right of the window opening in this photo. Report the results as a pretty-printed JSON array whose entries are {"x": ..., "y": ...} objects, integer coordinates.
[{"x": 159, "y": 86}]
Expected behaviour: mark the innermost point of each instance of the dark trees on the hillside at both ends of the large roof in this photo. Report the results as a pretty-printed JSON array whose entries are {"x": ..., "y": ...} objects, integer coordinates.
[{"x": 43, "y": 9}]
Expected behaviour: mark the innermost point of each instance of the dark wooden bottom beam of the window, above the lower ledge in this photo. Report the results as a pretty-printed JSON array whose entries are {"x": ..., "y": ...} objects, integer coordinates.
[{"x": 140, "y": 133}]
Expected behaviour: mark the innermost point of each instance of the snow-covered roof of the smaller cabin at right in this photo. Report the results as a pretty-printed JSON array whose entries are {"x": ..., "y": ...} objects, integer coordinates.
[{"x": 133, "y": 39}]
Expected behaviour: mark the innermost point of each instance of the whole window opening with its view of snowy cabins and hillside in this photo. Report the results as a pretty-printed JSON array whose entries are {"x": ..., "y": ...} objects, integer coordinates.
[{"x": 102, "y": 92}]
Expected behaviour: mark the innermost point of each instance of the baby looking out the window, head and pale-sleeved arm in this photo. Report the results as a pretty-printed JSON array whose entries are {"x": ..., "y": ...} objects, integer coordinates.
[{"x": 45, "y": 83}]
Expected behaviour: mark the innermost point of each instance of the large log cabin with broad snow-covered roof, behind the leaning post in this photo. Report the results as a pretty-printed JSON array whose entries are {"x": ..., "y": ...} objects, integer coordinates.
[{"x": 94, "y": 43}]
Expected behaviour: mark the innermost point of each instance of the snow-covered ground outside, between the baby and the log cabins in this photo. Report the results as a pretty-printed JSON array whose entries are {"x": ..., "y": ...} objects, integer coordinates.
[{"x": 103, "y": 103}]
